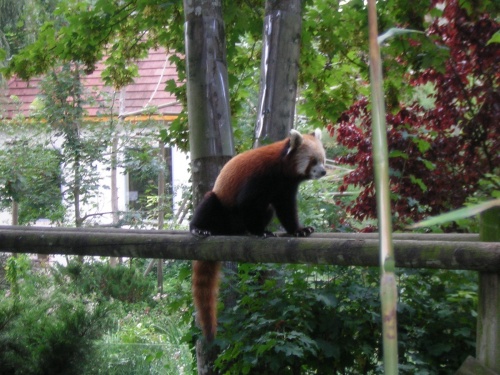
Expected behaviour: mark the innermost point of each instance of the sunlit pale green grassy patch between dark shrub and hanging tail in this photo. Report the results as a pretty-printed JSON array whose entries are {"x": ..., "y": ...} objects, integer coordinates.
[{"x": 147, "y": 335}]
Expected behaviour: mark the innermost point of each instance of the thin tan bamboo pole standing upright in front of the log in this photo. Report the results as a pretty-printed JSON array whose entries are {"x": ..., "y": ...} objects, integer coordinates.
[{"x": 388, "y": 288}]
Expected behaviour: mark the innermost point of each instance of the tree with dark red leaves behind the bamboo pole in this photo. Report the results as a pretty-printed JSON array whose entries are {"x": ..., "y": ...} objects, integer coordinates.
[{"x": 438, "y": 153}]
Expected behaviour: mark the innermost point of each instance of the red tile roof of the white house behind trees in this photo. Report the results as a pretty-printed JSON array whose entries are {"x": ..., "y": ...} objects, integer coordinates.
[{"x": 147, "y": 90}]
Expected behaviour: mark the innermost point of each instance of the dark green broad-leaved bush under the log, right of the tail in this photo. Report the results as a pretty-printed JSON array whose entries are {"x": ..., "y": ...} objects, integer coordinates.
[{"x": 304, "y": 319}]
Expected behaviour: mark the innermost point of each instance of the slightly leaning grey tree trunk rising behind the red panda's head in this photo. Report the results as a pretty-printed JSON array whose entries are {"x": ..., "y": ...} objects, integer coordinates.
[{"x": 279, "y": 70}]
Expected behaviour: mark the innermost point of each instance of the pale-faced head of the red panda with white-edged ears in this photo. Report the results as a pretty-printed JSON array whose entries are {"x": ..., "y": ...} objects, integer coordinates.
[{"x": 307, "y": 154}]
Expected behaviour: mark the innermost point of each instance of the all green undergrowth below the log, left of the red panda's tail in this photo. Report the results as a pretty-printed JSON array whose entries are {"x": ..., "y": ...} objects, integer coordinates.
[{"x": 93, "y": 319}]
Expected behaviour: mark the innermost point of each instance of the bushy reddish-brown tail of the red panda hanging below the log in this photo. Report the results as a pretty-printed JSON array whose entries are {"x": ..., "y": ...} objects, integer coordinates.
[{"x": 205, "y": 291}]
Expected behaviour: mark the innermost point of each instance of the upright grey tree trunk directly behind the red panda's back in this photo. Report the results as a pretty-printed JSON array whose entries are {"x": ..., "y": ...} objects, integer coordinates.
[{"x": 210, "y": 132}]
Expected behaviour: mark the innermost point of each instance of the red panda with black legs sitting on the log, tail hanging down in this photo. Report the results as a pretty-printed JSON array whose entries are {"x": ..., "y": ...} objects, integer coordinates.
[{"x": 250, "y": 188}]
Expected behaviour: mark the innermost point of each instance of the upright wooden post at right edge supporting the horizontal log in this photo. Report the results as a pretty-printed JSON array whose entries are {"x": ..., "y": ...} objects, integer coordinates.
[{"x": 488, "y": 325}]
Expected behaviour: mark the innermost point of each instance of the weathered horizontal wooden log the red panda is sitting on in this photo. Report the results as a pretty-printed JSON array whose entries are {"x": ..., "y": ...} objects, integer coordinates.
[{"x": 348, "y": 250}]
